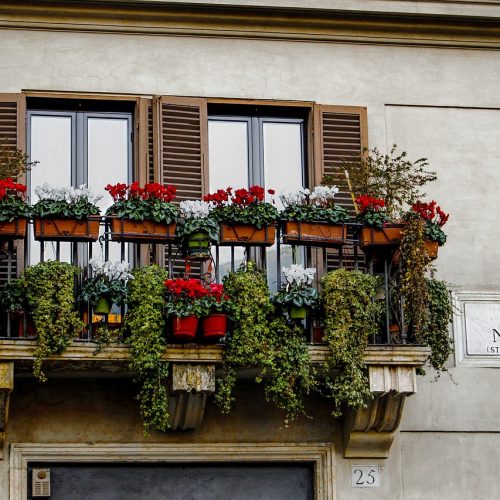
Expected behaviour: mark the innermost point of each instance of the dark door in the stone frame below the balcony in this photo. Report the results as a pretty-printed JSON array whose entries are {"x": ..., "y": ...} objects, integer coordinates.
[{"x": 180, "y": 482}]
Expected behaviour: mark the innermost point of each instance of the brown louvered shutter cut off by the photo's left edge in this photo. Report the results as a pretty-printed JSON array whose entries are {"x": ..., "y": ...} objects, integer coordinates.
[{"x": 12, "y": 134}]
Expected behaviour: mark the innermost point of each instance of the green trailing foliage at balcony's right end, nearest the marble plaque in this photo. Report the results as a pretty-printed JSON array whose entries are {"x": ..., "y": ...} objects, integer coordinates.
[{"x": 436, "y": 335}]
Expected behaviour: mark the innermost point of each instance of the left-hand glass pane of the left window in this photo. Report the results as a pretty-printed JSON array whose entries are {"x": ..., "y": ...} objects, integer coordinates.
[{"x": 51, "y": 146}]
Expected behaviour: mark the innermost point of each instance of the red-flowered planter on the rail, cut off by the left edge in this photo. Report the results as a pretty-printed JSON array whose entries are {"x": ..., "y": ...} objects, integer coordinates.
[{"x": 14, "y": 210}]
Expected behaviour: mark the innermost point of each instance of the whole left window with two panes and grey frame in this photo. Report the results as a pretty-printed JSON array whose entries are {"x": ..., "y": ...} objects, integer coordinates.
[{"x": 79, "y": 147}]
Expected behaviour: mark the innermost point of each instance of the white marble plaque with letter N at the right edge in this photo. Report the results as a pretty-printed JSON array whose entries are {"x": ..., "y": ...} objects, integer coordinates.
[{"x": 478, "y": 329}]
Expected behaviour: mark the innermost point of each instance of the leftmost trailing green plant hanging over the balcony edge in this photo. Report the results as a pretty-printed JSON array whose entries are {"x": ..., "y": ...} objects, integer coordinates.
[{"x": 49, "y": 292}]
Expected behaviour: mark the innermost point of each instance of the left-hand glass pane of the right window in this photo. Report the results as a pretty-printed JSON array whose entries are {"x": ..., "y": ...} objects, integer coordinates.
[{"x": 229, "y": 166}]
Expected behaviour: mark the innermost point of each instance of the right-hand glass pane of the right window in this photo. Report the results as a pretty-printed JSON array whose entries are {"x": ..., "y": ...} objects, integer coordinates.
[{"x": 283, "y": 171}]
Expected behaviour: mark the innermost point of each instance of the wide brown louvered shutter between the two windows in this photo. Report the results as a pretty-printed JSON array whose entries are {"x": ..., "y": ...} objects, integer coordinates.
[{"x": 183, "y": 154}]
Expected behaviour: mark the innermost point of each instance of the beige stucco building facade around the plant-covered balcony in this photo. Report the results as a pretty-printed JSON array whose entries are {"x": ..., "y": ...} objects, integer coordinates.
[{"x": 423, "y": 75}]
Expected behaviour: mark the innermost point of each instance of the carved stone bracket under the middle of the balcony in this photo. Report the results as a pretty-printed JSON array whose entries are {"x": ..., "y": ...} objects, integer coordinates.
[{"x": 190, "y": 386}]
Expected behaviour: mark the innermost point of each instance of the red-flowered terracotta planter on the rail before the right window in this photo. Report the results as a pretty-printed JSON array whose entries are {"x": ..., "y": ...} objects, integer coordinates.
[{"x": 244, "y": 216}]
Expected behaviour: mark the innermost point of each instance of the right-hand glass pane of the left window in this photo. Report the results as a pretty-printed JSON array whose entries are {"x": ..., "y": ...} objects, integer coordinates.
[{"x": 108, "y": 163}]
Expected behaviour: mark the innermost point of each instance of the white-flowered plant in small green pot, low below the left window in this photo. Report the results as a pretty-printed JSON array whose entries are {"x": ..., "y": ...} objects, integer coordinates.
[{"x": 106, "y": 286}]
